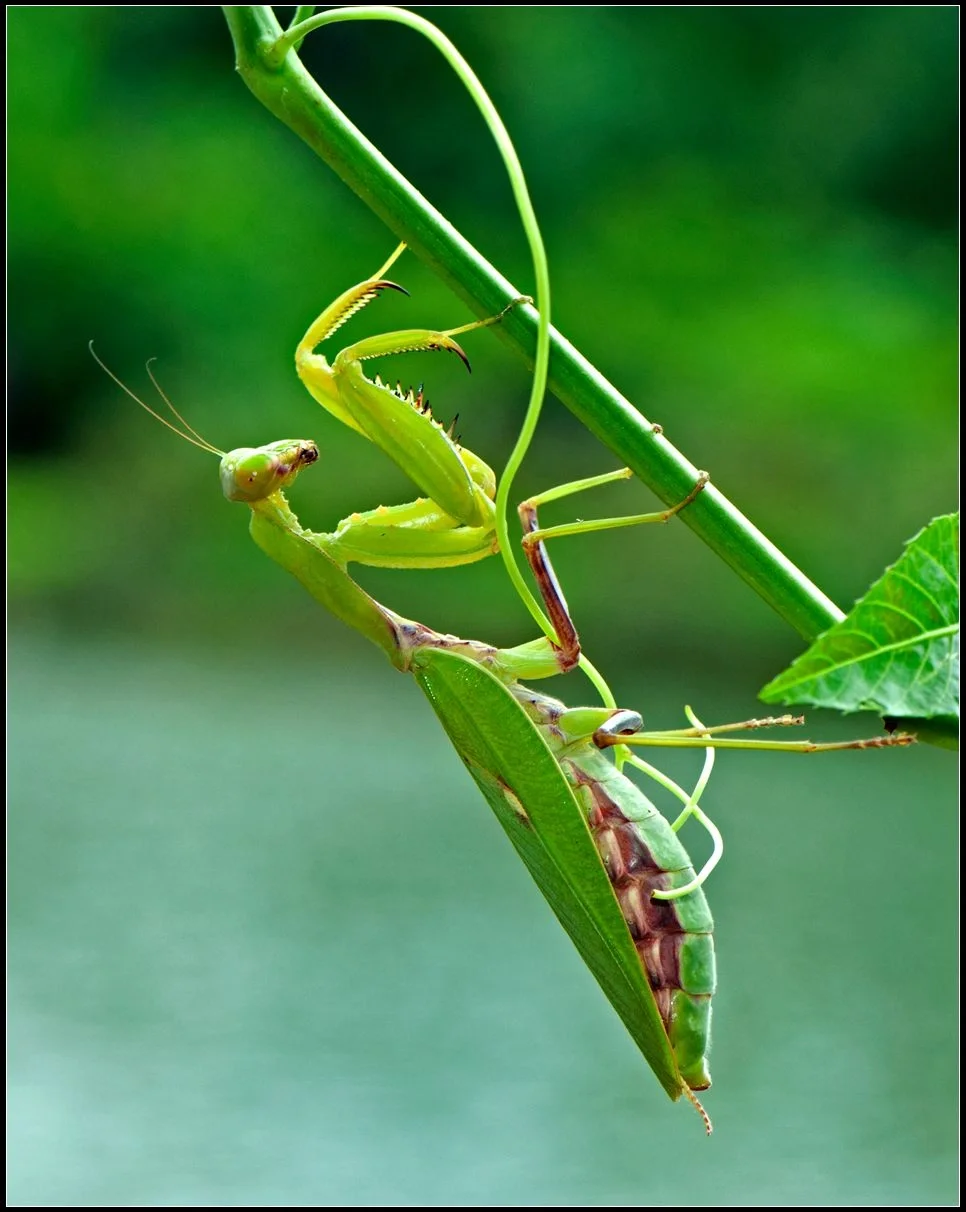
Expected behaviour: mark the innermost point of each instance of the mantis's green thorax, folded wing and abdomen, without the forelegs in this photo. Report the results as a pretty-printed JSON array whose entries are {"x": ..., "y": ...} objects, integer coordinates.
[{"x": 595, "y": 844}]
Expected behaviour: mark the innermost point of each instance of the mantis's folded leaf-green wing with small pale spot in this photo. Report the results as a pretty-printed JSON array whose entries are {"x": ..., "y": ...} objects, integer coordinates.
[{"x": 519, "y": 776}]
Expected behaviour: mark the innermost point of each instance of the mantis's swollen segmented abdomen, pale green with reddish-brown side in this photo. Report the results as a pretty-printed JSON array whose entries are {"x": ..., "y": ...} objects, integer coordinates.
[{"x": 642, "y": 855}]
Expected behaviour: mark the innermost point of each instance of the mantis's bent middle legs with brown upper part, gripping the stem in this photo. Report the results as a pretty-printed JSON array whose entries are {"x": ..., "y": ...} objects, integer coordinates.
[{"x": 540, "y": 562}]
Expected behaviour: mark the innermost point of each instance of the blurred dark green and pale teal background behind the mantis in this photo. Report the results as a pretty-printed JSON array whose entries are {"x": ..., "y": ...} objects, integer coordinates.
[{"x": 266, "y": 945}]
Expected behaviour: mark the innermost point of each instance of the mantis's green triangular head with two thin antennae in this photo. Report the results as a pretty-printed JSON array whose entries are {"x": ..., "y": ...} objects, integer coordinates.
[{"x": 250, "y": 473}]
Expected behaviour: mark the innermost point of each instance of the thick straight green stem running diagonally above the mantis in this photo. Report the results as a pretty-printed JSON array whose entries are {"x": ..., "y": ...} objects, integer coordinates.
[{"x": 287, "y": 89}]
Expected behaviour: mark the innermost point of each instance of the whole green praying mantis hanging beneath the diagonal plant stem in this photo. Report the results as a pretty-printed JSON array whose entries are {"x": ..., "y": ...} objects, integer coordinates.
[{"x": 609, "y": 864}]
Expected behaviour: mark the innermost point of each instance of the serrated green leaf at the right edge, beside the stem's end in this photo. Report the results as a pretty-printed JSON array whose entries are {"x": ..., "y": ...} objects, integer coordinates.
[{"x": 898, "y": 650}]
